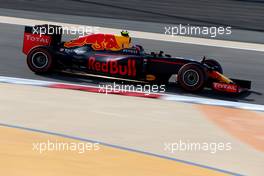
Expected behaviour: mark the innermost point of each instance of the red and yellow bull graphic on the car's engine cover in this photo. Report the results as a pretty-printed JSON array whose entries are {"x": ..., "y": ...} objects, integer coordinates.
[{"x": 101, "y": 42}]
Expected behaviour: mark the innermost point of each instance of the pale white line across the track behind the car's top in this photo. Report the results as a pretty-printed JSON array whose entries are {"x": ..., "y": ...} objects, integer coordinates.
[{"x": 145, "y": 35}]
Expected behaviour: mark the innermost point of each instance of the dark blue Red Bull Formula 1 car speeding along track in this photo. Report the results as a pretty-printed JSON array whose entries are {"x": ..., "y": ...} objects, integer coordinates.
[{"x": 113, "y": 56}]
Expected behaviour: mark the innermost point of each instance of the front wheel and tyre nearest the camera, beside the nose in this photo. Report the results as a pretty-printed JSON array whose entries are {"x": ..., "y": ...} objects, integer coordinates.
[{"x": 192, "y": 77}]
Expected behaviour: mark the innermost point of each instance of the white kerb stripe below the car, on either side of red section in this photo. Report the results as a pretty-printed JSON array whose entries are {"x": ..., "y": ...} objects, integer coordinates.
[{"x": 169, "y": 97}]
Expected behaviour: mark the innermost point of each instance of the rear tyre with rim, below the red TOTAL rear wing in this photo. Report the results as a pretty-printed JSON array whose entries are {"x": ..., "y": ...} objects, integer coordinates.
[{"x": 40, "y": 61}]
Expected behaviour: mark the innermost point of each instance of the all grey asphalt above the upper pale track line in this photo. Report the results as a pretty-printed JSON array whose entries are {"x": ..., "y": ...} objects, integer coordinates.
[{"x": 245, "y": 18}]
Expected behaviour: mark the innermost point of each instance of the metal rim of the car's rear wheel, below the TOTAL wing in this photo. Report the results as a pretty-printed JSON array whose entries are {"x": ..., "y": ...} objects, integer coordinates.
[{"x": 39, "y": 60}]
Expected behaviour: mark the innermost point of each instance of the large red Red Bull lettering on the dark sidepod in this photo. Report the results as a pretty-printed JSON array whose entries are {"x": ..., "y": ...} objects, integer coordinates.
[{"x": 113, "y": 67}]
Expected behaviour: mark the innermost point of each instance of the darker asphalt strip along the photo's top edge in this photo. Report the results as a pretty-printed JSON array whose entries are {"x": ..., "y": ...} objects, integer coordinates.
[{"x": 241, "y": 14}]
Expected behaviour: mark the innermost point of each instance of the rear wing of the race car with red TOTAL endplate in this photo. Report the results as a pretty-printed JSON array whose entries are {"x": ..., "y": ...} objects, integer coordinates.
[{"x": 41, "y": 35}]
